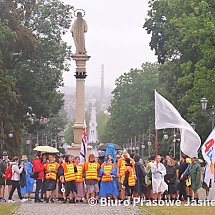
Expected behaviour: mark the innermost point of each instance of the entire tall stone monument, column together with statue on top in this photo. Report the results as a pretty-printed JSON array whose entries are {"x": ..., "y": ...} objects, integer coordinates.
[{"x": 78, "y": 30}]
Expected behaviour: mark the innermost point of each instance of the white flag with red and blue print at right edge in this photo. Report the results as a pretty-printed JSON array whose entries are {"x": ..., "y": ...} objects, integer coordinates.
[{"x": 208, "y": 152}]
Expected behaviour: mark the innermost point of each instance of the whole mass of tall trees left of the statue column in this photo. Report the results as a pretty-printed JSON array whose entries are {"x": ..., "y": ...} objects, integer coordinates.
[{"x": 33, "y": 57}]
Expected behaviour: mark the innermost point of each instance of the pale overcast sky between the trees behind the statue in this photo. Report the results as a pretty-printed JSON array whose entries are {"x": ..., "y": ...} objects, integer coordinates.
[{"x": 115, "y": 38}]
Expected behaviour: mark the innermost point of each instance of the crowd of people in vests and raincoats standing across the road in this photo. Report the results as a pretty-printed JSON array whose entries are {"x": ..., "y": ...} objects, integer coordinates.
[{"x": 126, "y": 176}]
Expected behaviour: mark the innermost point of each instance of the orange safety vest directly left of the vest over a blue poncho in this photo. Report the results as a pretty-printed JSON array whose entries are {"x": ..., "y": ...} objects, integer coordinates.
[{"x": 91, "y": 169}]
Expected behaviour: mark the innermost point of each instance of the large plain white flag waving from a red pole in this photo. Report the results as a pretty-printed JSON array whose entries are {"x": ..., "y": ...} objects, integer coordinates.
[{"x": 166, "y": 116}]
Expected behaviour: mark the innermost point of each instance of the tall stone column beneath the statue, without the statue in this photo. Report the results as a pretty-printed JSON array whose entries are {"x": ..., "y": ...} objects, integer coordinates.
[{"x": 80, "y": 75}]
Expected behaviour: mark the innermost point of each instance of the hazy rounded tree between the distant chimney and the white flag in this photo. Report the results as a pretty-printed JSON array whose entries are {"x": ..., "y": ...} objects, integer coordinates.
[{"x": 132, "y": 107}]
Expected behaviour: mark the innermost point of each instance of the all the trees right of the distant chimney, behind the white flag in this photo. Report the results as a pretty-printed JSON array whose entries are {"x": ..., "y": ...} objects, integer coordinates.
[{"x": 183, "y": 38}]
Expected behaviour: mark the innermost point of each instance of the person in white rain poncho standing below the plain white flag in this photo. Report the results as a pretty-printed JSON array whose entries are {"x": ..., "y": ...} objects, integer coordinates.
[{"x": 158, "y": 172}]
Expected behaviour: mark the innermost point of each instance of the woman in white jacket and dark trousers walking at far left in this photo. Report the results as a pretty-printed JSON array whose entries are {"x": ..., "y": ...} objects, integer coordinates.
[{"x": 15, "y": 179}]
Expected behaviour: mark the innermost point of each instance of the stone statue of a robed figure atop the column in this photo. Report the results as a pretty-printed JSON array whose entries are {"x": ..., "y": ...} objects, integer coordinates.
[{"x": 78, "y": 29}]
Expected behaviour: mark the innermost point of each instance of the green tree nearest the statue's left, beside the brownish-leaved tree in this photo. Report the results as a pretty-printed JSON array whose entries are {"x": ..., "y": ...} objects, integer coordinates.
[{"x": 41, "y": 76}]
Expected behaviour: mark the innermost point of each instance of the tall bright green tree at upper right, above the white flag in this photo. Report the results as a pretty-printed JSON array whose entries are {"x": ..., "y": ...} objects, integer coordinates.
[{"x": 183, "y": 35}]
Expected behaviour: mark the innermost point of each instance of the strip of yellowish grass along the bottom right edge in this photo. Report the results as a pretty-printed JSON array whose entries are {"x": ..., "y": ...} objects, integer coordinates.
[{"x": 177, "y": 210}]
